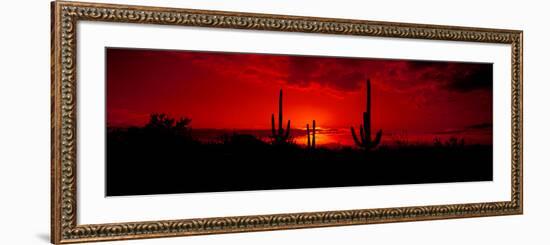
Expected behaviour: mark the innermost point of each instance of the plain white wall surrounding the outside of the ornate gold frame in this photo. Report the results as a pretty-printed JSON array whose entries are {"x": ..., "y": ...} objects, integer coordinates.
[{"x": 25, "y": 137}]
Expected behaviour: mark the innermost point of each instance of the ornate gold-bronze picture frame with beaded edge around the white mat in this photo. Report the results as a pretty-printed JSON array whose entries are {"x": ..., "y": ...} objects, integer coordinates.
[{"x": 65, "y": 17}]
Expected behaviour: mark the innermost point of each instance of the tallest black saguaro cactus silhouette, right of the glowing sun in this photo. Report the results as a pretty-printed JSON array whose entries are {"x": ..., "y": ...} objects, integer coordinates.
[{"x": 366, "y": 142}]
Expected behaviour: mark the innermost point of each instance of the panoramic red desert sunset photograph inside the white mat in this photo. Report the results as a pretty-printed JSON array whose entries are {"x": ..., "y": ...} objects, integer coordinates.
[{"x": 195, "y": 121}]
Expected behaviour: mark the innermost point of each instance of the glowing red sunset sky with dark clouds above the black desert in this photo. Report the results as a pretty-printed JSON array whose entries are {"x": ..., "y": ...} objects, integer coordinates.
[{"x": 240, "y": 91}]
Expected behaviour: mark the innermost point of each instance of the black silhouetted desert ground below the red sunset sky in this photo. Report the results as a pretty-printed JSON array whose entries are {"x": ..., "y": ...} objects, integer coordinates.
[{"x": 154, "y": 160}]
